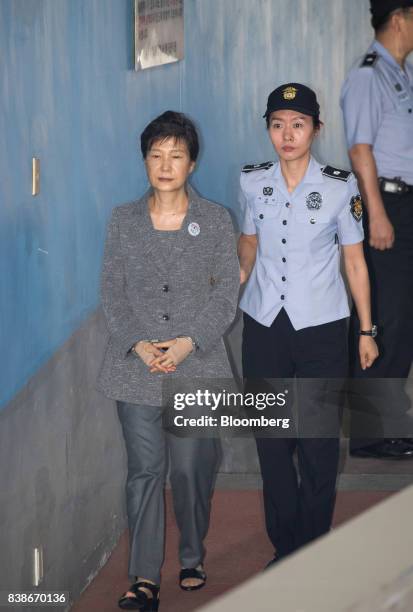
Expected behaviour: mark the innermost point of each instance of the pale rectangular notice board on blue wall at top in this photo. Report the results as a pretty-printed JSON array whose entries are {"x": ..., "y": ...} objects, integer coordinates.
[{"x": 159, "y": 32}]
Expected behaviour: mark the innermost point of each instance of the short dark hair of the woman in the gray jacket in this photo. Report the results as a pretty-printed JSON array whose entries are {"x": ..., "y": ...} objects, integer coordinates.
[{"x": 171, "y": 125}]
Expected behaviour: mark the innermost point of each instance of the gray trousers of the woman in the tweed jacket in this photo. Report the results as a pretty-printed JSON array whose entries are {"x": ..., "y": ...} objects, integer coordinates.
[{"x": 193, "y": 463}]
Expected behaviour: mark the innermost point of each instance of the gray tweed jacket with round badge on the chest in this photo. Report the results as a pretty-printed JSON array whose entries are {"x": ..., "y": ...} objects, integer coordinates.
[{"x": 144, "y": 296}]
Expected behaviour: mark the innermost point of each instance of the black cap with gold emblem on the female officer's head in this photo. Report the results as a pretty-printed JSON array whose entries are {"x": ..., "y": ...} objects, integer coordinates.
[{"x": 293, "y": 96}]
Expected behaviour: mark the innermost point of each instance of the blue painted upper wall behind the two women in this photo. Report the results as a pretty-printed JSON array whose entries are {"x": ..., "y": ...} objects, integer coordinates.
[{"x": 69, "y": 96}]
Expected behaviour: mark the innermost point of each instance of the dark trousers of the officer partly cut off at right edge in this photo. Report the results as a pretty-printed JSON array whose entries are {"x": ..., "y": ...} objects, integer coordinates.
[{"x": 391, "y": 278}]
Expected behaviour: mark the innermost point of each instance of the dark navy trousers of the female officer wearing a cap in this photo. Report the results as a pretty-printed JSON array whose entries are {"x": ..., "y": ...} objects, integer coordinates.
[{"x": 296, "y": 510}]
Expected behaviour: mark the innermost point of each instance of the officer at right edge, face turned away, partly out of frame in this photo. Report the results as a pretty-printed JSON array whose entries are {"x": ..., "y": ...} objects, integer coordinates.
[{"x": 377, "y": 104}]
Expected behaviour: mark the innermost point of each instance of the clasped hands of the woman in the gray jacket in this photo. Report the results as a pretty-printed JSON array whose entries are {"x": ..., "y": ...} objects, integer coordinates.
[{"x": 164, "y": 356}]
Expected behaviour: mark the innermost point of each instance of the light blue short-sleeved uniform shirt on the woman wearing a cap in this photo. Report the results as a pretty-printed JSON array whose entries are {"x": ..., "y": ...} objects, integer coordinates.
[{"x": 298, "y": 257}]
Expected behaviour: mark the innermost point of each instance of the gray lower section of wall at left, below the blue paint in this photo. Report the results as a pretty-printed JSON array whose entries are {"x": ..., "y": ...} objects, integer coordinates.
[{"x": 62, "y": 468}]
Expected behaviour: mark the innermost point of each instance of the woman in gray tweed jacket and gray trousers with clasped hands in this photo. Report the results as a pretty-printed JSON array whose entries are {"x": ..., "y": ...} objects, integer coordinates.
[{"x": 170, "y": 273}]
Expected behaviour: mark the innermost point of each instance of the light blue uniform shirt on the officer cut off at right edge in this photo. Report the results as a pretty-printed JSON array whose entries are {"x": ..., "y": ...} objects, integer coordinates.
[{"x": 377, "y": 103}]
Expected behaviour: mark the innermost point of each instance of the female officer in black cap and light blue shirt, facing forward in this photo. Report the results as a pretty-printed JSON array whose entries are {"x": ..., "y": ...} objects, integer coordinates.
[{"x": 296, "y": 214}]
